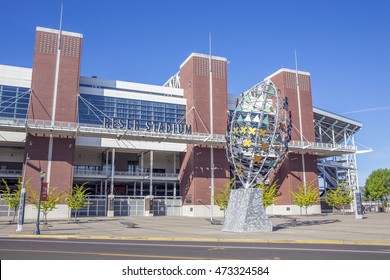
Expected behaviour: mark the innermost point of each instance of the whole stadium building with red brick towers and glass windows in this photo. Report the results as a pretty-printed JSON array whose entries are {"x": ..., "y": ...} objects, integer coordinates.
[{"x": 149, "y": 149}]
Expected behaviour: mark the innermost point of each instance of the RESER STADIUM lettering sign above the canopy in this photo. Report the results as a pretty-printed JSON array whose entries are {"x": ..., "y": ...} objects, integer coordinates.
[{"x": 135, "y": 125}]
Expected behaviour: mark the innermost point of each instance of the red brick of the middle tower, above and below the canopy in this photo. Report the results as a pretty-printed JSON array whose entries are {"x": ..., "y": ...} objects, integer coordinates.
[{"x": 195, "y": 170}]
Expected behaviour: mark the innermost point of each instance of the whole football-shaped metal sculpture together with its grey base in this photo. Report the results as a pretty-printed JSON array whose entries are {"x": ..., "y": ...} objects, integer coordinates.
[{"x": 257, "y": 140}]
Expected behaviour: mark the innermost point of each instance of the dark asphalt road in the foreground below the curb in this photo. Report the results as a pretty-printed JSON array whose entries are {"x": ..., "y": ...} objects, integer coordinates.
[{"x": 78, "y": 249}]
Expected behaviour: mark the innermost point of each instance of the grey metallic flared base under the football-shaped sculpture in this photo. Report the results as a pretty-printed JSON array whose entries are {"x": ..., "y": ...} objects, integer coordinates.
[{"x": 246, "y": 213}]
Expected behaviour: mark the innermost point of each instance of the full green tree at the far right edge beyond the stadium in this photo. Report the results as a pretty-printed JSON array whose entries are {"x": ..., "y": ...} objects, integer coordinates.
[{"x": 377, "y": 185}]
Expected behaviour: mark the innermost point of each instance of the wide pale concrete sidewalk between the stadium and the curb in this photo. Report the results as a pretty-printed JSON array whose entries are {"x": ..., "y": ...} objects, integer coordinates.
[{"x": 374, "y": 228}]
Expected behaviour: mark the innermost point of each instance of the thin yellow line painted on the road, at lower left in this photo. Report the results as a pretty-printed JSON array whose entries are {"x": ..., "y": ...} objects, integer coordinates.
[{"x": 106, "y": 254}]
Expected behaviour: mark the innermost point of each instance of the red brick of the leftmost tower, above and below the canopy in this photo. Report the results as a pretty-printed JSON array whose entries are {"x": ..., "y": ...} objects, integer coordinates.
[{"x": 42, "y": 85}]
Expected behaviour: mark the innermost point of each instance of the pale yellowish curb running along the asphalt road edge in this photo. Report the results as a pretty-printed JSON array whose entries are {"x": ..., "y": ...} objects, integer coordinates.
[{"x": 219, "y": 240}]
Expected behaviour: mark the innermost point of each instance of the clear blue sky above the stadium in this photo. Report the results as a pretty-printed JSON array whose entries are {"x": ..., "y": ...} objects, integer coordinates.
[{"x": 345, "y": 45}]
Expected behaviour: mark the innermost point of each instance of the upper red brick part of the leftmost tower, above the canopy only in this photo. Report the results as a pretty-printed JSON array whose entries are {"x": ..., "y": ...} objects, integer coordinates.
[{"x": 42, "y": 84}]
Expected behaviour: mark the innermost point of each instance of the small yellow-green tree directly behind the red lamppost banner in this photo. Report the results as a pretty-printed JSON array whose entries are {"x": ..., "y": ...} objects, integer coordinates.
[{"x": 46, "y": 206}]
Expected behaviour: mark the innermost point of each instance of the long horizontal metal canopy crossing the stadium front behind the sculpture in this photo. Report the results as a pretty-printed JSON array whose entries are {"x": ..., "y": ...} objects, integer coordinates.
[{"x": 64, "y": 129}]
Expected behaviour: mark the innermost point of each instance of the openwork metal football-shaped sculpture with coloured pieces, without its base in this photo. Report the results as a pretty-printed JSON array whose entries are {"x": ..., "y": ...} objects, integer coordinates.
[{"x": 258, "y": 133}]
